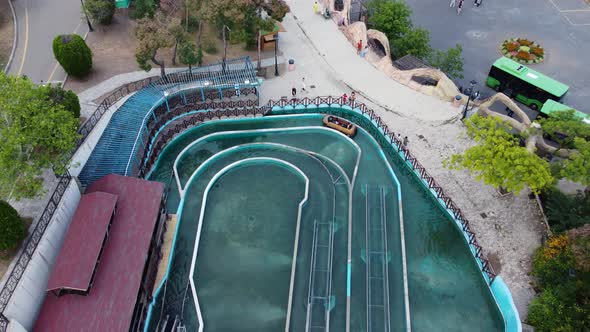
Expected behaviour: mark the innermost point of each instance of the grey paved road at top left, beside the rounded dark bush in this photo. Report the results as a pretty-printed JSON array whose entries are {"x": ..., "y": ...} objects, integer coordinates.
[{"x": 39, "y": 21}]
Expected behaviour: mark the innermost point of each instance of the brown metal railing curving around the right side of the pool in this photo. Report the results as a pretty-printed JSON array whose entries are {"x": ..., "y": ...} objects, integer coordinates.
[{"x": 412, "y": 162}]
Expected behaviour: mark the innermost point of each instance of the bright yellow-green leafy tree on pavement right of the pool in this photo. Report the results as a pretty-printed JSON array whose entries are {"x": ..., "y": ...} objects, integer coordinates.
[{"x": 498, "y": 160}]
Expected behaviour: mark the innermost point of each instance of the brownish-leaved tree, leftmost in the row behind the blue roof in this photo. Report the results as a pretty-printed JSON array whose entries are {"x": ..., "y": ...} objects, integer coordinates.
[{"x": 152, "y": 35}]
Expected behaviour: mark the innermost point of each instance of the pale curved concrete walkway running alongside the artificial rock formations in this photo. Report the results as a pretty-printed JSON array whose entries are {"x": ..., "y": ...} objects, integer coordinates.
[{"x": 359, "y": 75}]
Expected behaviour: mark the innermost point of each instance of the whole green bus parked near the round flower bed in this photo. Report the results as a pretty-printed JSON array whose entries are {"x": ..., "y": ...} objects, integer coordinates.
[{"x": 524, "y": 84}]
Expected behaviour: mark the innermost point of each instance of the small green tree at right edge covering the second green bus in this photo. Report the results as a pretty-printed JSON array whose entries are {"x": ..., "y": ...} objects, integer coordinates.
[{"x": 563, "y": 127}]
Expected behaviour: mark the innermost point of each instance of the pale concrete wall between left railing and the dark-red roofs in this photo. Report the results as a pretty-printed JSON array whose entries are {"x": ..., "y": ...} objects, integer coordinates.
[{"x": 28, "y": 296}]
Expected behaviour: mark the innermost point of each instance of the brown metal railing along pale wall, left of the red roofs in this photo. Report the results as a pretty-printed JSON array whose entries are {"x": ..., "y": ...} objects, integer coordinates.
[{"x": 30, "y": 246}]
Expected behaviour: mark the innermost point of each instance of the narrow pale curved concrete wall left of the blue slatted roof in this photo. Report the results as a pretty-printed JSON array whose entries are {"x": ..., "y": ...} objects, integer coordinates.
[{"x": 81, "y": 156}]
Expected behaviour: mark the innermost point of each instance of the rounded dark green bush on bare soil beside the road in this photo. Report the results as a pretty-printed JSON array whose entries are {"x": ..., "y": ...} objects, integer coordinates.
[{"x": 73, "y": 54}]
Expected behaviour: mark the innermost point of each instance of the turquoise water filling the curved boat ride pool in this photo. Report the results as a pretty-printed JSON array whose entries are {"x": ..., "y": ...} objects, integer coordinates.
[{"x": 446, "y": 289}]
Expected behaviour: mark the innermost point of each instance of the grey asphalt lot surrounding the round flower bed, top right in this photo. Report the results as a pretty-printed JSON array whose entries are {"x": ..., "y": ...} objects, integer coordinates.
[{"x": 561, "y": 26}]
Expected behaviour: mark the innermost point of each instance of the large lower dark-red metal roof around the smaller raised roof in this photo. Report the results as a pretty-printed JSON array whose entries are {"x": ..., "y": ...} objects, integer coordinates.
[{"x": 110, "y": 303}]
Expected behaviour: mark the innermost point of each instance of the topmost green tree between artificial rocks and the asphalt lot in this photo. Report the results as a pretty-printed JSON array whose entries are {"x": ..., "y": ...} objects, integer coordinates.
[{"x": 392, "y": 17}]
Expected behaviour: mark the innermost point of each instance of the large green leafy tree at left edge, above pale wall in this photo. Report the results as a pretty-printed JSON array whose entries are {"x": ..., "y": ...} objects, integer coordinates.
[{"x": 35, "y": 134}]
